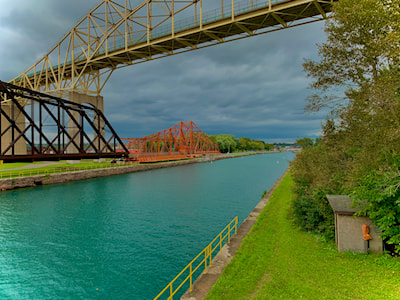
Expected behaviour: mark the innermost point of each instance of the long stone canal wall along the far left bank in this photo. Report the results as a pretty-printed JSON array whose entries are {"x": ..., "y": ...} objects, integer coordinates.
[{"x": 8, "y": 184}]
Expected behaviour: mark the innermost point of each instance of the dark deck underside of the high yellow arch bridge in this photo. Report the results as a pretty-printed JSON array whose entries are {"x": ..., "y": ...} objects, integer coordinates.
[{"x": 226, "y": 28}]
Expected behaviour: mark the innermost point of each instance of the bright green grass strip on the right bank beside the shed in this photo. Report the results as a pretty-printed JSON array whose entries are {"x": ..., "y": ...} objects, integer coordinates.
[{"x": 277, "y": 261}]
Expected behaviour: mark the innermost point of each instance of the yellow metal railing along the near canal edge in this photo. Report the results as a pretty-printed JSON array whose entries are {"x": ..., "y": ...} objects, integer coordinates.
[{"x": 205, "y": 257}]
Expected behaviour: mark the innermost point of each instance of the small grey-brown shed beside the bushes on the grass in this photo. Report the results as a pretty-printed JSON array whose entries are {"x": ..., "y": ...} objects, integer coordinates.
[{"x": 348, "y": 228}]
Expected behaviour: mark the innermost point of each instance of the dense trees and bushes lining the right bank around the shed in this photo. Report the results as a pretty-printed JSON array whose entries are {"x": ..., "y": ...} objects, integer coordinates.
[{"x": 358, "y": 153}]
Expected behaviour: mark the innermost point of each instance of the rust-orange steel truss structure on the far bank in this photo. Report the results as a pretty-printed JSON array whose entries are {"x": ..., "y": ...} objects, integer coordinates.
[{"x": 182, "y": 141}]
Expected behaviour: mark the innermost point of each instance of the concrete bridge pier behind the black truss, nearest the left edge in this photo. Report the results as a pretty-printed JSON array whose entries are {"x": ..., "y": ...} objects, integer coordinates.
[{"x": 11, "y": 134}]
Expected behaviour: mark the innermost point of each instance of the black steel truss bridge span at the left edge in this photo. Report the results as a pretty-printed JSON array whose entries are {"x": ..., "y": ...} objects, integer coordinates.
[{"x": 61, "y": 143}]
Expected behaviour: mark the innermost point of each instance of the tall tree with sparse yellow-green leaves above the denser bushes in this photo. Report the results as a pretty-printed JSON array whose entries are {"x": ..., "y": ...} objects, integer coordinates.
[{"x": 363, "y": 40}]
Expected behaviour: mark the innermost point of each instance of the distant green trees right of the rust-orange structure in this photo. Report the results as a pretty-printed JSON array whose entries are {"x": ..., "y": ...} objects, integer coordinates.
[{"x": 228, "y": 143}]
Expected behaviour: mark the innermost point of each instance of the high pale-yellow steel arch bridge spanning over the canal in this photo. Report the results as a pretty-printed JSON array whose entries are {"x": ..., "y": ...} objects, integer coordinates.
[{"x": 115, "y": 35}]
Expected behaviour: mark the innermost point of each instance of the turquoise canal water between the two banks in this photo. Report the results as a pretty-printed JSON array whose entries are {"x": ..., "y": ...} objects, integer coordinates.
[{"x": 126, "y": 236}]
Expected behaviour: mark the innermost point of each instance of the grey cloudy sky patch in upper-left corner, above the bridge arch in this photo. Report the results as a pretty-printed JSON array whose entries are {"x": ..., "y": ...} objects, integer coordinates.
[{"x": 29, "y": 29}]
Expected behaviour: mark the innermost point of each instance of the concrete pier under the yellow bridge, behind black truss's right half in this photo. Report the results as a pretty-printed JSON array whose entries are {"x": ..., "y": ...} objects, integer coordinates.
[{"x": 96, "y": 102}]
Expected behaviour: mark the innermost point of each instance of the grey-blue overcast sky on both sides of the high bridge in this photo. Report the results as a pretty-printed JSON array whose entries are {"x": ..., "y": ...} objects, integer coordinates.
[{"x": 254, "y": 87}]
